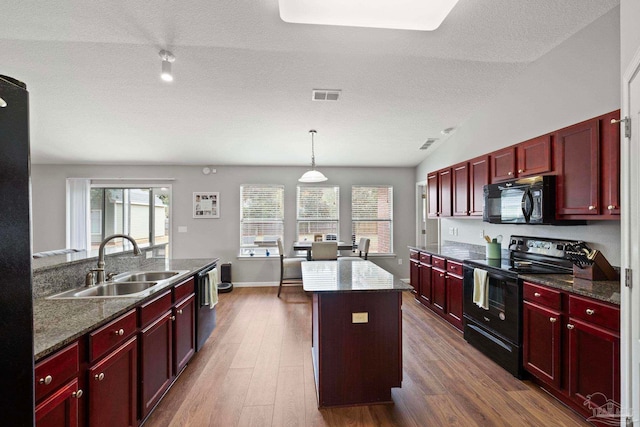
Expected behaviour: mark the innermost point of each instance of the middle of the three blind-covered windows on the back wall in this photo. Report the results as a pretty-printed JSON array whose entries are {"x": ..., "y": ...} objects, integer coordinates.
[{"x": 318, "y": 212}]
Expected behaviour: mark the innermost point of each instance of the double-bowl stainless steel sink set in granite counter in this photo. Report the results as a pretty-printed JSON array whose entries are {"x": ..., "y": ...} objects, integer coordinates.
[{"x": 129, "y": 284}]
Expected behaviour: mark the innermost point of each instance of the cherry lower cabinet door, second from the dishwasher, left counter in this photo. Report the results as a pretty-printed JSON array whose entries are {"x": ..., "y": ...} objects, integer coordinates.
[{"x": 156, "y": 370}]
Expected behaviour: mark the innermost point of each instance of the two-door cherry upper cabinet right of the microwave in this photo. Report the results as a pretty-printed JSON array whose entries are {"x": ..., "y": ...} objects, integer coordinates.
[{"x": 588, "y": 167}]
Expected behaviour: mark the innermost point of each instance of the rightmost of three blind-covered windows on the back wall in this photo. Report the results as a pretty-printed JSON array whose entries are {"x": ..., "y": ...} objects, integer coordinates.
[{"x": 372, "y": 216}]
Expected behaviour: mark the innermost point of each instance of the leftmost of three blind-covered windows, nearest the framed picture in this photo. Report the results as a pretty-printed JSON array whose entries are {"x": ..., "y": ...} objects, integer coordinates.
[{"x": 261, "y": 218}]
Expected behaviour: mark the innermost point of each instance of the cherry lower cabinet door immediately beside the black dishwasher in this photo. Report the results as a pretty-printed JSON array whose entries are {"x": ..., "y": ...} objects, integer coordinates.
[{"x": 184, "y": 344}]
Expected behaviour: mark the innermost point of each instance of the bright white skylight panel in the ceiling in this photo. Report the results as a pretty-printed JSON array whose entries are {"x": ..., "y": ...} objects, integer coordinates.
[{"x": 421, "y": 15}]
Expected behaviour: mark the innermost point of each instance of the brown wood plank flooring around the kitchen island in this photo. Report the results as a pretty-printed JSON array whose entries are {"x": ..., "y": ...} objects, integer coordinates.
[{"x": 255, "y": 370}]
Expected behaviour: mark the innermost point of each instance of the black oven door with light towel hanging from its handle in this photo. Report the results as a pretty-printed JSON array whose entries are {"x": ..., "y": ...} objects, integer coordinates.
[{"x": 503, "y": 315}]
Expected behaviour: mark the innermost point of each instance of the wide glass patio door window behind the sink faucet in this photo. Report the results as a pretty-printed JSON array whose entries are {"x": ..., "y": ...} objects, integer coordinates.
[{"x": 142, "y": 213}]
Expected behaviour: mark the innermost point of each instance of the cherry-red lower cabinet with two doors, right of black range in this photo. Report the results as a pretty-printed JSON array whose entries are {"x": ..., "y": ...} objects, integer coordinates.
[{"x": 572, "y": 346}]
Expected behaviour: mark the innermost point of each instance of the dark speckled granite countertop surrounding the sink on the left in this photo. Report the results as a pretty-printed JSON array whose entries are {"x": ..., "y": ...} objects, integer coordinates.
[{"x": 58, "y": 322}]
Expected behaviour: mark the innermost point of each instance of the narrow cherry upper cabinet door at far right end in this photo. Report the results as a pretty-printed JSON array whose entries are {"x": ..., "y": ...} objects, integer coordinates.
[{"x": 610, "y": 144}]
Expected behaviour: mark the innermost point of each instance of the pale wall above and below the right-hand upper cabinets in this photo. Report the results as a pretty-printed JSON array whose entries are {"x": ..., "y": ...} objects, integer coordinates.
[{"x": 577, "y": 80}]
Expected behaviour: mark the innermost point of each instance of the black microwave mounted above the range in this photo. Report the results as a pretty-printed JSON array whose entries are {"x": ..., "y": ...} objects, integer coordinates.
[{"x": 521, "y": 201}]
